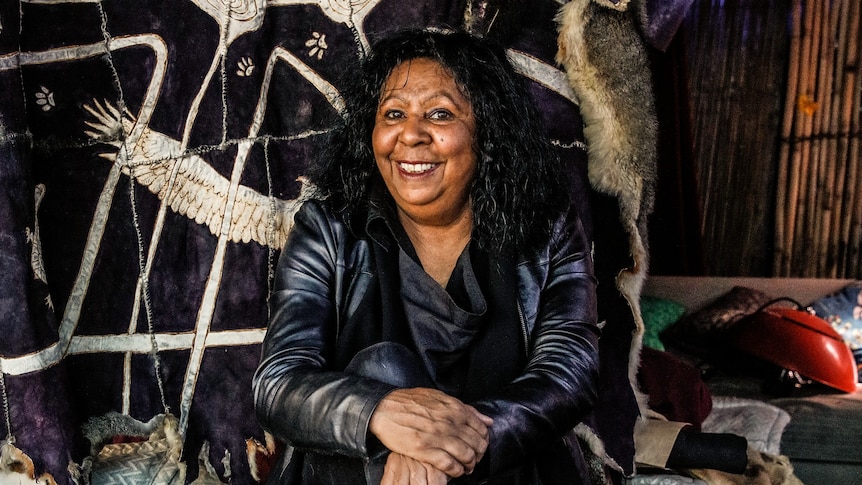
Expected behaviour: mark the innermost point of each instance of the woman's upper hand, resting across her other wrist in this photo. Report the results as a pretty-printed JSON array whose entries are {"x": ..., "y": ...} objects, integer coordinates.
[{"x": 433, "y": 428}]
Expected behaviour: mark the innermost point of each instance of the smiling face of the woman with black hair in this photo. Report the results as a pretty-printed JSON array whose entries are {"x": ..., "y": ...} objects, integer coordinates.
[{"x": 423, "y": 142}]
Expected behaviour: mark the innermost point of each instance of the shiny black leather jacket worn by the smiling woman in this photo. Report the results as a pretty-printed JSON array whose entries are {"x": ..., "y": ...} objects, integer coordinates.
[{"x": 323, "y": 273}]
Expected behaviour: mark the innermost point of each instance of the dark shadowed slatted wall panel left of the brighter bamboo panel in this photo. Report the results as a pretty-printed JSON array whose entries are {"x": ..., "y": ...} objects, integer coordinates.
[{"x": 737, "y": 61}]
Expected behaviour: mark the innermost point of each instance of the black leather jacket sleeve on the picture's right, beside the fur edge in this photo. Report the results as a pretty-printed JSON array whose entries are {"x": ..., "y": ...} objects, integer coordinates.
[{"x": 558, "y": 385}]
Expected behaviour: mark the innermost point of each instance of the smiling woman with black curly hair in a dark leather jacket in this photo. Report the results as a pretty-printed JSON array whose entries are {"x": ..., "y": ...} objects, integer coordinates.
[{"x": 433, "y": 318}]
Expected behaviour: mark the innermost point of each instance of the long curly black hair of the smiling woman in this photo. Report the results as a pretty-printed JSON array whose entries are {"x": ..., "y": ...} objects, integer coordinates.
[{"x": 520, "y": 187}]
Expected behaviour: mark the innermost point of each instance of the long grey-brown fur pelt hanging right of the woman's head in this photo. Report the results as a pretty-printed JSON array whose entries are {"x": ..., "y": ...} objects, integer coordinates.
[{"x": 606, "y": 61}]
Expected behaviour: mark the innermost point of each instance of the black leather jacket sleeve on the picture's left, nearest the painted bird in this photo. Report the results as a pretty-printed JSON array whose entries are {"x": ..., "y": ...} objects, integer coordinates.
[{"x": 296, "y": 397}]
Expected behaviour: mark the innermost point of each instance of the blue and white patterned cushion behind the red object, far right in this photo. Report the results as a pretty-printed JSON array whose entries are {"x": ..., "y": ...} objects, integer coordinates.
[{"x": 843, "y": 310}]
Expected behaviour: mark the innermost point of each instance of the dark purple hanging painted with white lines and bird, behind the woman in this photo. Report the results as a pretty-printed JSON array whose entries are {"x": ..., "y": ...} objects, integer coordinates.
[{"x": 151, "y": 153}]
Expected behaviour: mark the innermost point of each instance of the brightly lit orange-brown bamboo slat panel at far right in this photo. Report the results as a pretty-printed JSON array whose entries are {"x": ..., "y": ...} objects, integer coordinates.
[{"x": 819, "y": 197}]
